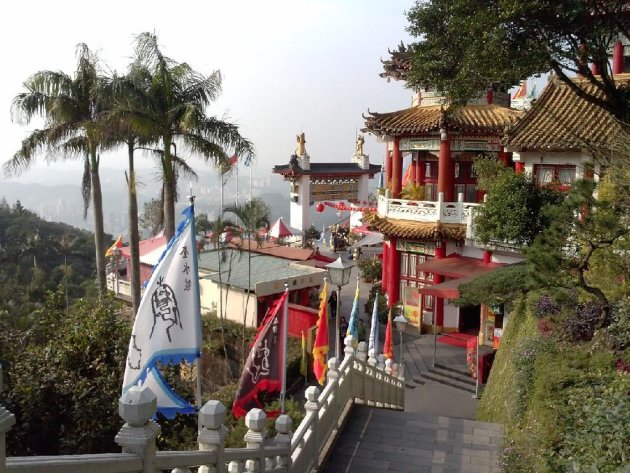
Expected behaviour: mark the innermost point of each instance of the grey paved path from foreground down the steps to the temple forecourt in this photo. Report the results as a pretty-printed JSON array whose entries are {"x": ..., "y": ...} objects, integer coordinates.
[{"x": 422, "y": 438}]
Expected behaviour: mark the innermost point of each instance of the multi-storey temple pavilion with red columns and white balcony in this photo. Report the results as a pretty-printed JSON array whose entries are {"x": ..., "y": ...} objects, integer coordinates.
[{"x": 428, "y": 250}]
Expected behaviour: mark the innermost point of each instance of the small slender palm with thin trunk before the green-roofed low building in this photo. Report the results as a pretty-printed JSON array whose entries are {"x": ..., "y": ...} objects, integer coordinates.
[{"x": 253, "y": 215}]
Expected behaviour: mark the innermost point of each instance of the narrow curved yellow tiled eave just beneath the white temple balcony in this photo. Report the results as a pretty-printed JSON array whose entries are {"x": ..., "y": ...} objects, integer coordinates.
[{"x": 423, "y": 231}]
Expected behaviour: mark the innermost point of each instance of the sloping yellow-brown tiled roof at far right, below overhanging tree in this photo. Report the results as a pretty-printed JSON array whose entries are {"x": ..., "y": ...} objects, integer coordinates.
[{"x": 561, "y": 120}]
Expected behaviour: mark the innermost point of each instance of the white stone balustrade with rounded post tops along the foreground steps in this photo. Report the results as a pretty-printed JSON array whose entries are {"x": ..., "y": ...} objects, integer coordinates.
[{"x": 354, "y": 381}]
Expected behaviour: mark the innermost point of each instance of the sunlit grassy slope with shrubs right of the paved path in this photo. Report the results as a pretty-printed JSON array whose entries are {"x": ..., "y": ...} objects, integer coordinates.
[{"x": 563, "y": 399}]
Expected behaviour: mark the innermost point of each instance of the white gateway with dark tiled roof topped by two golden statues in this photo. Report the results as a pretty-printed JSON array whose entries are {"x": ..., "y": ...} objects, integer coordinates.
[{"x": 324, "y": 182}]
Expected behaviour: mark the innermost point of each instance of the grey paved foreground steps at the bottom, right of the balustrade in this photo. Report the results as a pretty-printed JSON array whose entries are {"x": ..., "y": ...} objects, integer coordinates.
[{"x": 379, "y": 440}]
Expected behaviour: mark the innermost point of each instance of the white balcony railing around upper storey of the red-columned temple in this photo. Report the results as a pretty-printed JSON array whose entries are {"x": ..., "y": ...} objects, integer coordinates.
[{"x": 427, "y": 211}]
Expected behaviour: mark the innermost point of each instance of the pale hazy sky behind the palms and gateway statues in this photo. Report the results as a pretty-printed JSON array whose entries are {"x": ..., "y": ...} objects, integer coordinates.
[{"x": 287, "y": 66}]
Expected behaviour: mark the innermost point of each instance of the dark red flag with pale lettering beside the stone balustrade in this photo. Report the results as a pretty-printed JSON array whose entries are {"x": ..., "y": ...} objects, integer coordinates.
[{"x": 263, "y": 369}]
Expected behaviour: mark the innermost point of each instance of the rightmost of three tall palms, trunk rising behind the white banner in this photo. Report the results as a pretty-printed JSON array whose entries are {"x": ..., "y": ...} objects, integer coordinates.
[{"x": 173, "y": 110}]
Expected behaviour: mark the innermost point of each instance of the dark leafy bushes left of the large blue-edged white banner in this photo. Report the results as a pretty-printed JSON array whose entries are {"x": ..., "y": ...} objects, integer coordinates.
[{"x": 63, "y": 375}]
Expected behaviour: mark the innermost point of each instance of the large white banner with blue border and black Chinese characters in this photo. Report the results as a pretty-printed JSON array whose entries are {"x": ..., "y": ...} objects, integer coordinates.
[{"x": 167, "y": 328}]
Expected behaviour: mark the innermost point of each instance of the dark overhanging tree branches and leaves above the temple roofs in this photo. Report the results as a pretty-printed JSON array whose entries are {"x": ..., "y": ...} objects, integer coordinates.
[{"x": 465, "y": 46}]
